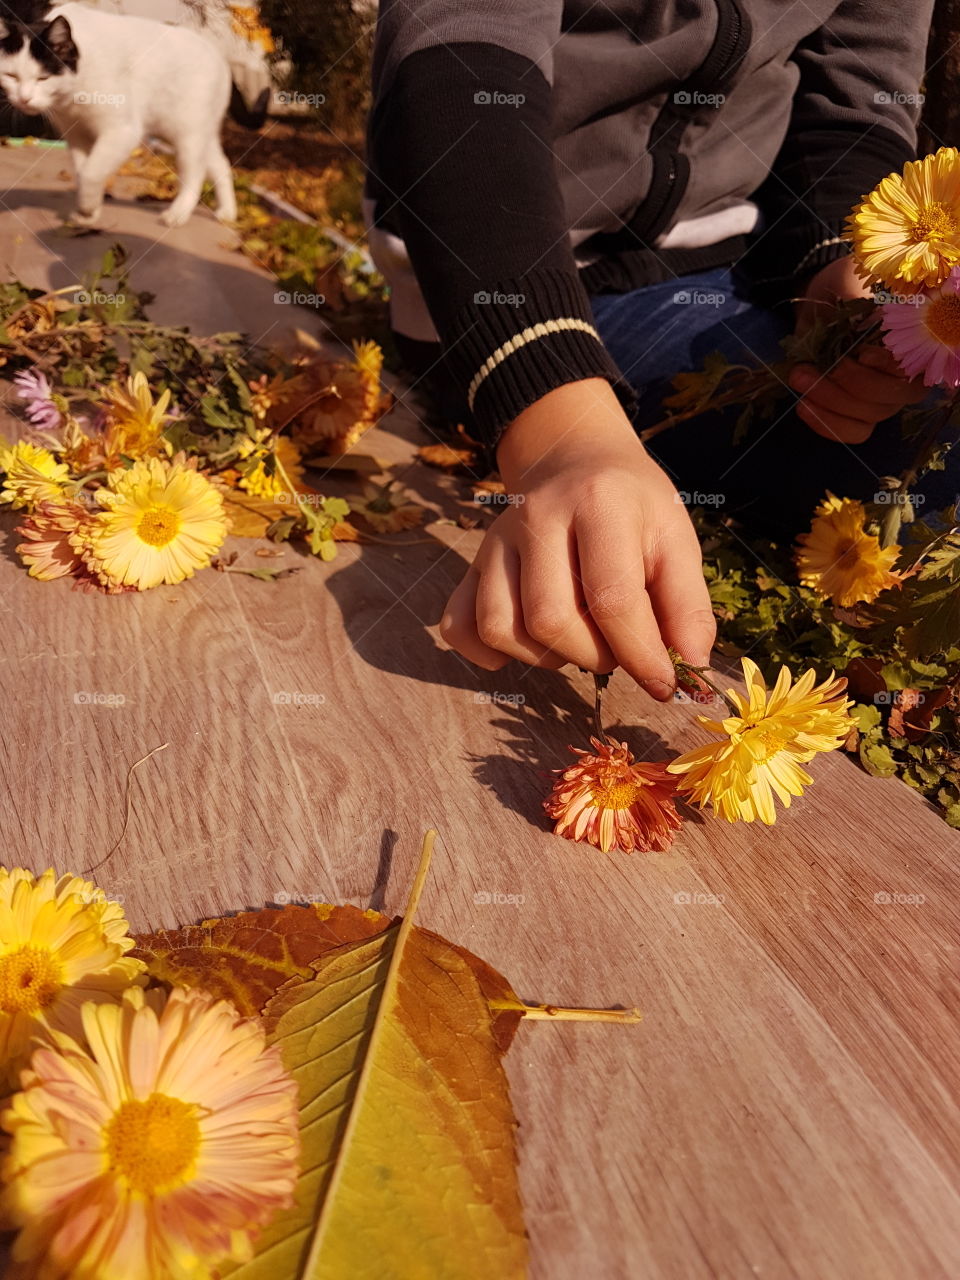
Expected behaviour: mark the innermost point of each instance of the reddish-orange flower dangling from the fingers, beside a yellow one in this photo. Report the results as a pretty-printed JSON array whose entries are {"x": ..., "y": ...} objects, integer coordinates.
[{"x": 614, "y": 802}]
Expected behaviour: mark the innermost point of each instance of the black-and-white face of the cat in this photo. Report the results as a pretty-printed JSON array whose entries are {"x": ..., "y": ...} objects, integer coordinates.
[{"x": 38, "y": 65}]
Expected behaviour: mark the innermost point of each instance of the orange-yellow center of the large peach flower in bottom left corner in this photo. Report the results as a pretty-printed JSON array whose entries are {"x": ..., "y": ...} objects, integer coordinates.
[{"x": 153, "y": 1144}]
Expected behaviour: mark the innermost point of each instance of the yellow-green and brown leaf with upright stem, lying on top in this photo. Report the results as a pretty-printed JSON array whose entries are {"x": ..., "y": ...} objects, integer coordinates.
[{"x": 406, "y": 1126}]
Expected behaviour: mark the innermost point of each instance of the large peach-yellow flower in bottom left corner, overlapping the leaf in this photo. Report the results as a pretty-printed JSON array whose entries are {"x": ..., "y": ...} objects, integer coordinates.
[{"x": 156, "y": 1154}]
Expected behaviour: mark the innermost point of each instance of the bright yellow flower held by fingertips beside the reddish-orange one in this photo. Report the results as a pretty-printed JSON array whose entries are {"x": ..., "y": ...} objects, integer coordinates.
[{"x": 761, "y": 749}]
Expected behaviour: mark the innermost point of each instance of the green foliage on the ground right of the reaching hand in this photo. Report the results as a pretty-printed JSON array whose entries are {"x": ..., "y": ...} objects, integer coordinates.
[{"x": 902, "y": 657}]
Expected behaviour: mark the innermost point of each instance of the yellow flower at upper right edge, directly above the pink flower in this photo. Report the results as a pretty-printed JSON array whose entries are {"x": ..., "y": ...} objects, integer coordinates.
[{"x": 908, "y": 230}]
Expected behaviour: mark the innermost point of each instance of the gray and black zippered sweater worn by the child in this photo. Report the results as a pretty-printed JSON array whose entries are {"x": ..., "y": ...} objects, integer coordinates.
[{"x": 527, "y": 154}]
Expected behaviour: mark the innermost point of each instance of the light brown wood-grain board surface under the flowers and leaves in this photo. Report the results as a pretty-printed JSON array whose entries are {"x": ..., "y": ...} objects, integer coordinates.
[{"x": 788, "y": 1109}]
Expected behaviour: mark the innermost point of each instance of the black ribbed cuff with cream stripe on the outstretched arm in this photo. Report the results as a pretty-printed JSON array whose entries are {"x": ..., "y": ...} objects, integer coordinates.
[{"x": 522, "y": 340}]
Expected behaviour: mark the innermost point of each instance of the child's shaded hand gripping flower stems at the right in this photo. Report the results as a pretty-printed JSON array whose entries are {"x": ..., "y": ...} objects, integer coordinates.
[{"x": 860, "y": 392}]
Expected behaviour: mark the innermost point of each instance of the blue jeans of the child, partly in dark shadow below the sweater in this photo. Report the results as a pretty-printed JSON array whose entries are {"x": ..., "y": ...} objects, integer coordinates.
[{"x": 781, "y": 470}]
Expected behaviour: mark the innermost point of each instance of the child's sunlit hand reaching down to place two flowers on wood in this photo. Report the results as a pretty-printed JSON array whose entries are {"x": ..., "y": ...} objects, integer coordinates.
[{"x": 596, "y": 563}]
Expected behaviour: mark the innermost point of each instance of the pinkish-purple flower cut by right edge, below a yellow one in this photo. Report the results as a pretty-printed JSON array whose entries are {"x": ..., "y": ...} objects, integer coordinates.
[{"x": 924, "y": 332}]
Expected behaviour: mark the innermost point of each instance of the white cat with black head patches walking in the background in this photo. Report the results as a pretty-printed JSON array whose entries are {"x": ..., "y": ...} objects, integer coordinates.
[{"x": 107, "y": 81}]
